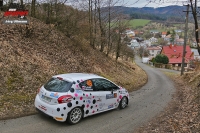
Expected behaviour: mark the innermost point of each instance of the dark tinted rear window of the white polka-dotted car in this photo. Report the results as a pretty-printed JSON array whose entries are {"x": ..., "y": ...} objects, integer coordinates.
[{"x": 57, "y": 85}]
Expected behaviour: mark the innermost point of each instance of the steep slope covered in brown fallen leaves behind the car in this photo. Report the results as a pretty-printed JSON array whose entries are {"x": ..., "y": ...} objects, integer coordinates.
[{"x": 31, "y": 54}]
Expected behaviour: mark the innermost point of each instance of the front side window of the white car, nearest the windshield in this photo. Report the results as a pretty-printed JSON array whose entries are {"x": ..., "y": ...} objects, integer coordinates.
[{"x": 103, "y": 85}]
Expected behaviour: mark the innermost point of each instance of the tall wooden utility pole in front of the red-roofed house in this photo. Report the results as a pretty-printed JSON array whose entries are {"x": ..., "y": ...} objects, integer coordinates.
[{"x": 185, "y": 40}]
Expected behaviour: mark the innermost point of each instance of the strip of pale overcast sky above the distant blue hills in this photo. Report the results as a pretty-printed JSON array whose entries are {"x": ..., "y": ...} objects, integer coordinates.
[{"x": 154, "y": 3}]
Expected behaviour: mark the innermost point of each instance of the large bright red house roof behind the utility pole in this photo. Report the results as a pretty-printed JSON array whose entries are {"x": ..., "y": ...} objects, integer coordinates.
[{"x": 175, "y": 53}]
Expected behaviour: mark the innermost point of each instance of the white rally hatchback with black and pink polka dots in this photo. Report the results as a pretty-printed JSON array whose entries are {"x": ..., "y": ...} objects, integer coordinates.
[{"x": 76, "y": 95}]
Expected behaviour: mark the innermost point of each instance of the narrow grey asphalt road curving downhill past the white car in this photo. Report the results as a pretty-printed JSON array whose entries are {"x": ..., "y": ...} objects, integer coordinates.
[{"x": 144, "y": 104}]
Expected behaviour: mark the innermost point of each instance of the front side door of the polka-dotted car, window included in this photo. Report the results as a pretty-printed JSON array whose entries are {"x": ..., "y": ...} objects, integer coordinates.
[{"x": 107, "y": 92}]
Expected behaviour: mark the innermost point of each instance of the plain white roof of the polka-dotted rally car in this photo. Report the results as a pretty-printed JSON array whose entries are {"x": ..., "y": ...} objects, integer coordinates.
[{"x": 77, "y": 76}]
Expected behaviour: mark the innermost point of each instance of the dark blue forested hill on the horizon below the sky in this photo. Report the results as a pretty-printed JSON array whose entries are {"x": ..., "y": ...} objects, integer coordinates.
[{"x": 174, "y": 13}]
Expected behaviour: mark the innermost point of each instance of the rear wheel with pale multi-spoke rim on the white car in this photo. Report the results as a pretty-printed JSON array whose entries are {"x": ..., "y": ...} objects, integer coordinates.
[{"x": 75, "y": 115}]
